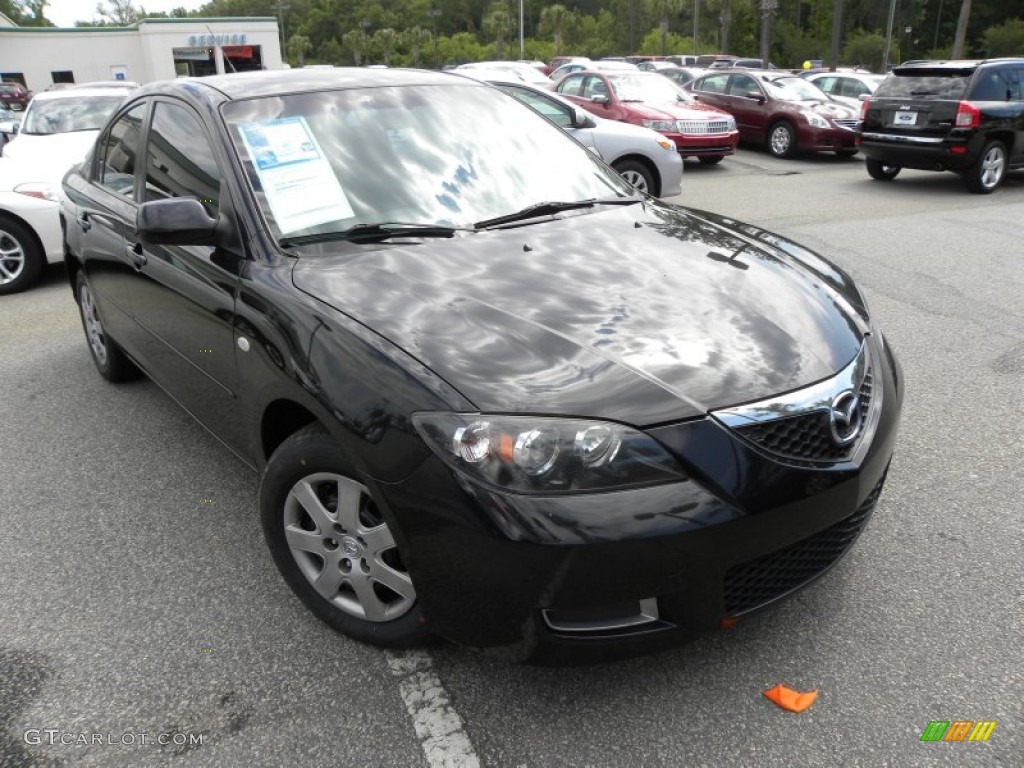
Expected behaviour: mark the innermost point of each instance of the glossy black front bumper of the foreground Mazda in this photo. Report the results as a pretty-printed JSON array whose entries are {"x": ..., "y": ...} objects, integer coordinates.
[{"x": 637, "y": 569}]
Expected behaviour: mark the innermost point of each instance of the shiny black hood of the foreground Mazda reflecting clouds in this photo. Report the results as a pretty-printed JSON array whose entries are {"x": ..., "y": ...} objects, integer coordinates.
[{"x": 553, "y": 319}]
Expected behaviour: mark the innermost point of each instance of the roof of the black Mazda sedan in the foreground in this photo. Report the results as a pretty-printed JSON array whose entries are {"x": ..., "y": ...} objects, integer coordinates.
[{"x": 276, "y": 82}]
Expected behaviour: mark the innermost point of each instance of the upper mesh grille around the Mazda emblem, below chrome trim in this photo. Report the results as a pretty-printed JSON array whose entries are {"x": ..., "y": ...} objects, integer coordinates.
[{"x": 808, "y": 437}]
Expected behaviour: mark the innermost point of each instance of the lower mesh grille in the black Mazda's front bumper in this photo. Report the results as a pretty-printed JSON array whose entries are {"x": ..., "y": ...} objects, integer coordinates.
[{"x": 769, "y": 578}]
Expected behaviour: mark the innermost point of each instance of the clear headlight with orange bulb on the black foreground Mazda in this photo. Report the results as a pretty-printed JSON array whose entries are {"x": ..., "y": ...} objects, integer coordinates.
[{"x": 544, "y": 455}]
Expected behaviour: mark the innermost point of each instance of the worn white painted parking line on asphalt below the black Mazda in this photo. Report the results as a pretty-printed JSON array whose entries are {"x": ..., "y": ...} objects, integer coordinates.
[{"x": 439, "y": 727}]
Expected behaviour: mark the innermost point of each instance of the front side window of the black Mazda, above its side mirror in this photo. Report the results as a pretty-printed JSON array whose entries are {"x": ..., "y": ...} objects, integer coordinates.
[{"x": 180, "y": 161}]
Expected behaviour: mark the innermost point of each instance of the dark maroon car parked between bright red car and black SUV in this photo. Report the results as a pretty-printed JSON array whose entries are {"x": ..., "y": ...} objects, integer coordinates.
[{"x": 784, "y": 112}]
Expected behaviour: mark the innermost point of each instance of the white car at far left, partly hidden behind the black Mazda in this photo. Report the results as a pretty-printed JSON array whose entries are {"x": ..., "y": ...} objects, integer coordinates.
[{"x": 59, "y": 129}]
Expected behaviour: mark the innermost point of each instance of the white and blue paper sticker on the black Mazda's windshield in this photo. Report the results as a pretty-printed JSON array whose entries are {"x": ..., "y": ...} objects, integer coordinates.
[{"x": 297, "y": 180}]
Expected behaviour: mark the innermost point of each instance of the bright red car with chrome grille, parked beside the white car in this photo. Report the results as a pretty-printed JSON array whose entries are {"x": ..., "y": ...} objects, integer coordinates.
[{"x": 655, "y": 102}]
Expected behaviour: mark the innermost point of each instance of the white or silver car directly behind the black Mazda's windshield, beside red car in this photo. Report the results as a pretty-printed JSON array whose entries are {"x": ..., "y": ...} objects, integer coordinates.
[{"x": 645, "y": 158}]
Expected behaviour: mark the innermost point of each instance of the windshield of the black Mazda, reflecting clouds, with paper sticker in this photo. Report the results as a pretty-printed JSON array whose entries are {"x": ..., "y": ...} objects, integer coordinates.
[{"x": 449, "y": 156}]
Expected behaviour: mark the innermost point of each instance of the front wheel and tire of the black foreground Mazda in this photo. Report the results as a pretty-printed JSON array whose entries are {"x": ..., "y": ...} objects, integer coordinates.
[{"x": 333, "y": 546}]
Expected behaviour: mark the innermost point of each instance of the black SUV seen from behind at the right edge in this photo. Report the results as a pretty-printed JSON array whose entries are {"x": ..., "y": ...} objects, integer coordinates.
[{"x": 948, "y": 116}]
